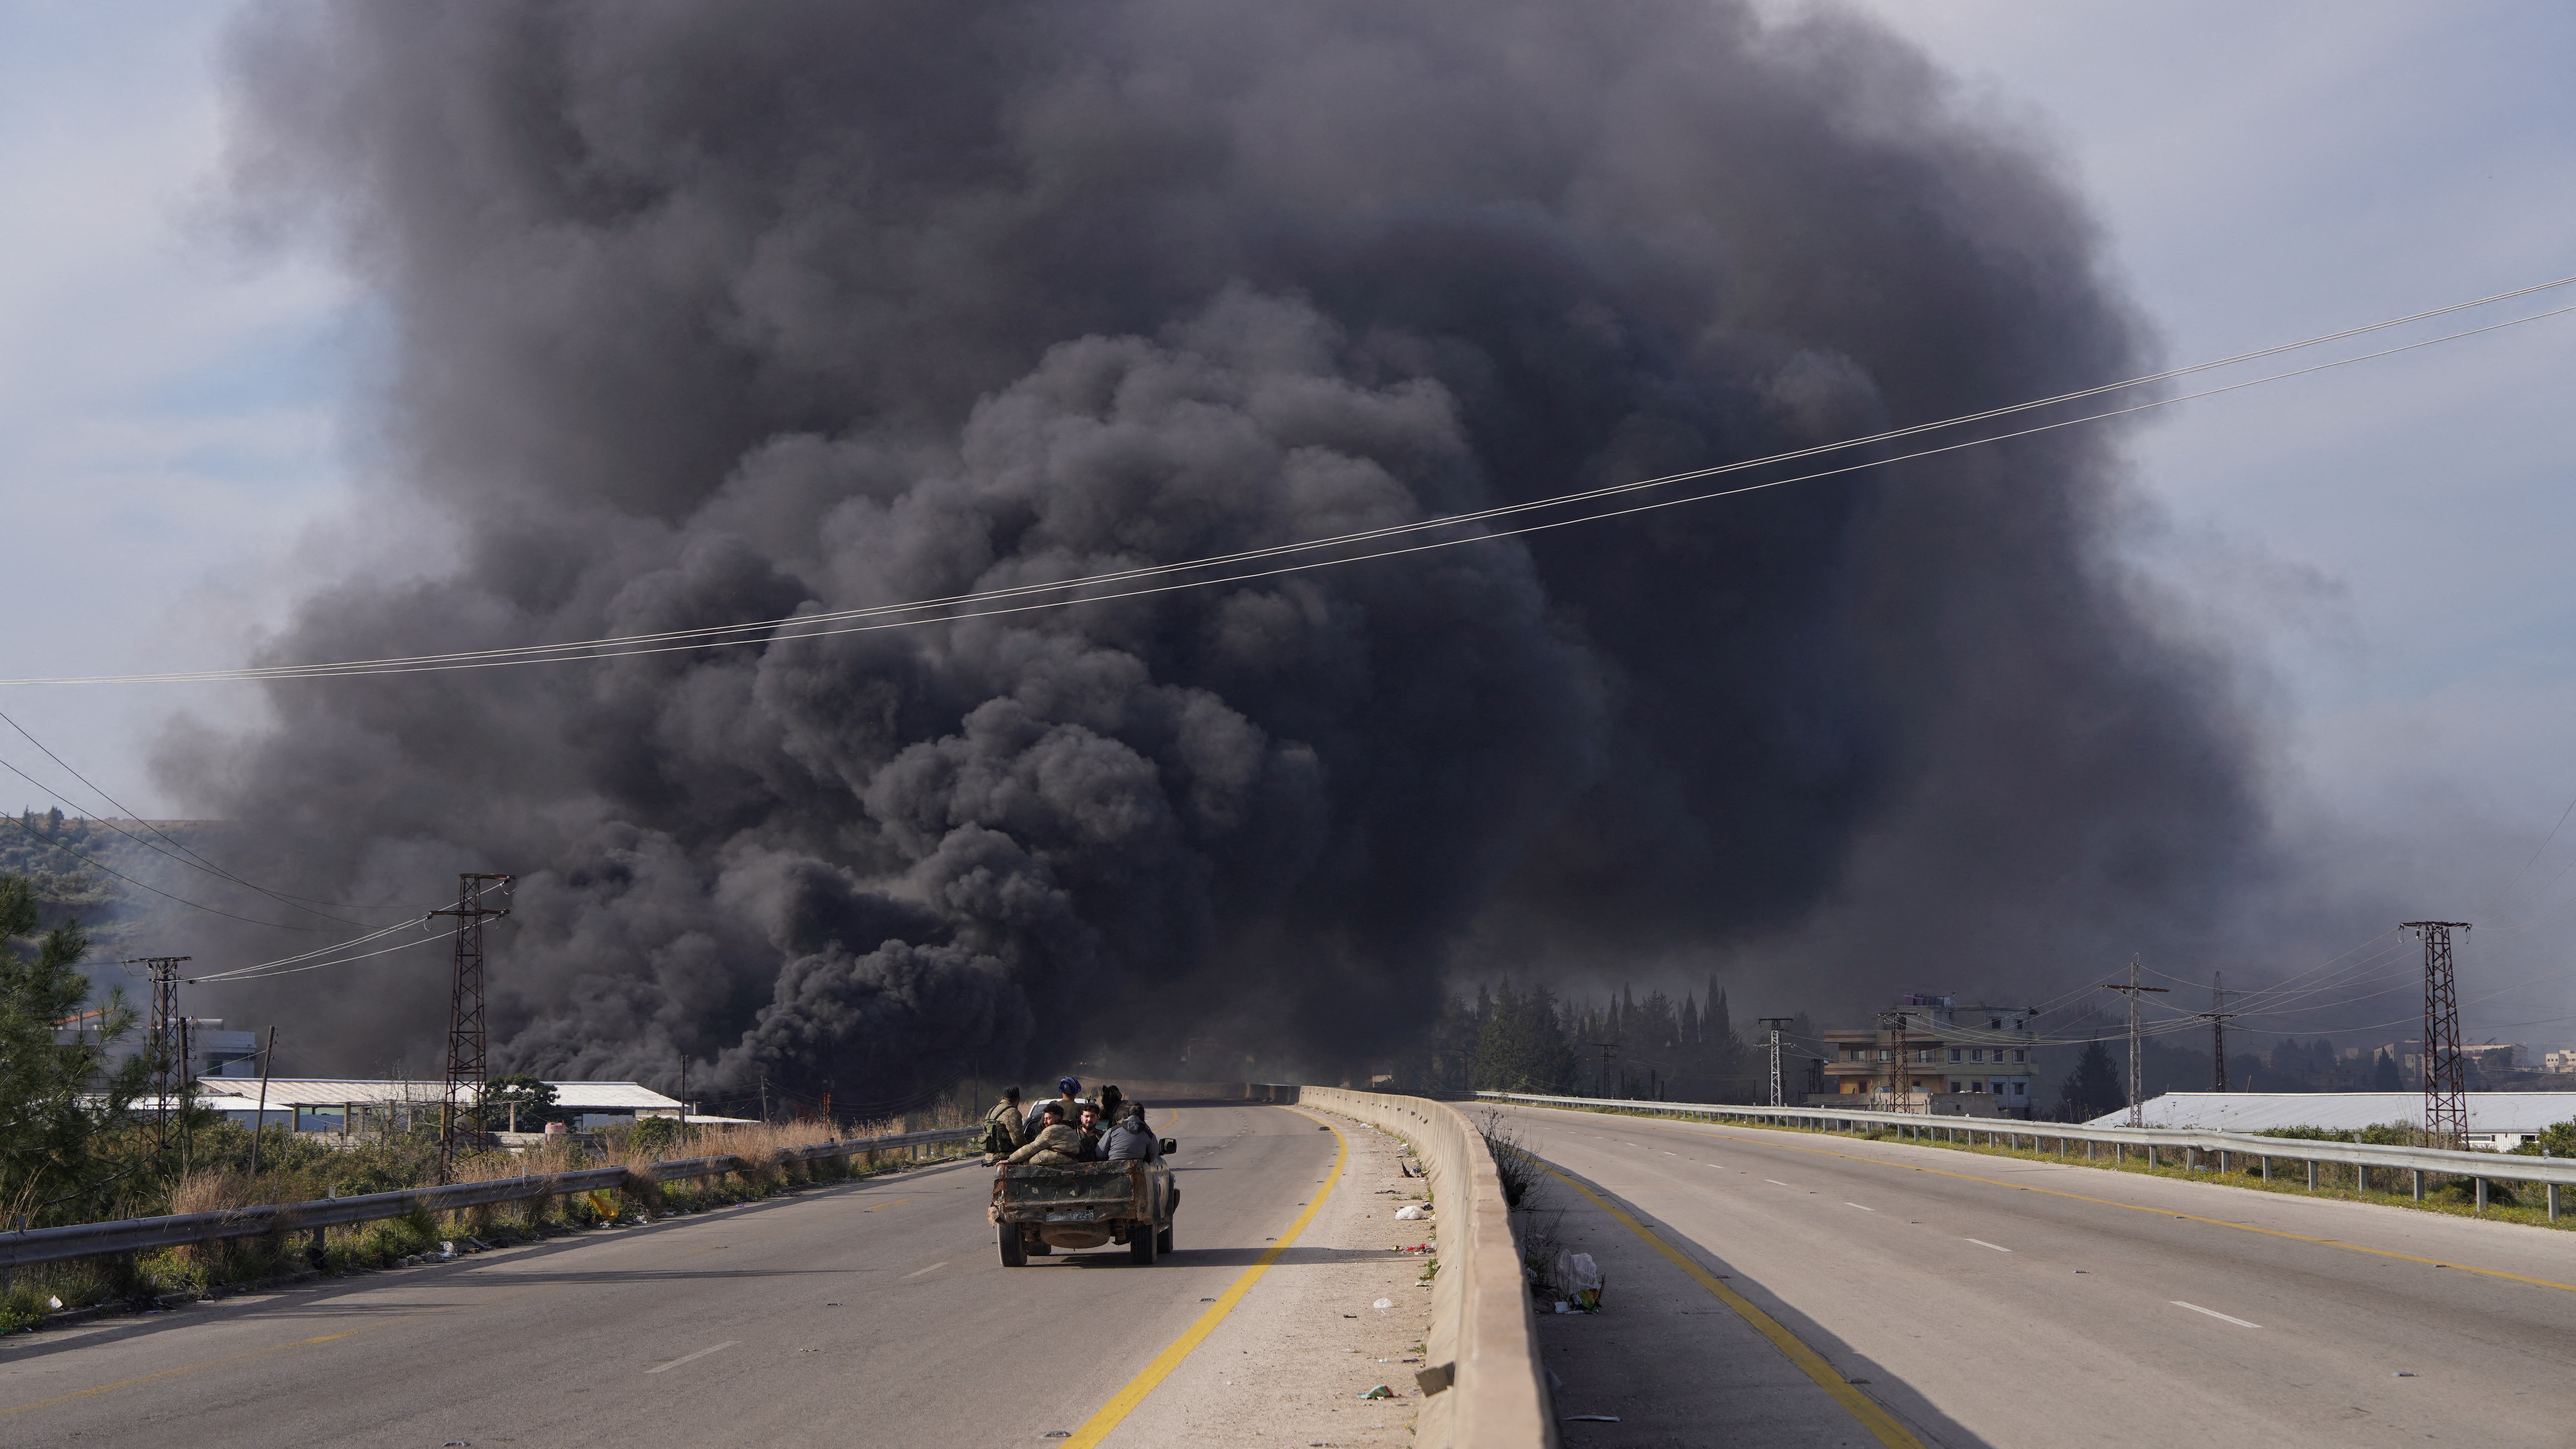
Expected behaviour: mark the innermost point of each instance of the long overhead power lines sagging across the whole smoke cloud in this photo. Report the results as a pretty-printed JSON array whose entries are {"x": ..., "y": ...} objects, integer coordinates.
[{"x": 800, "y": 625}]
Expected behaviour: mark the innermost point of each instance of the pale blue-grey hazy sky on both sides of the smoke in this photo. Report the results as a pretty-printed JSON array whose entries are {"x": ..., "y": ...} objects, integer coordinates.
[{"x": 2392, "y": 540}]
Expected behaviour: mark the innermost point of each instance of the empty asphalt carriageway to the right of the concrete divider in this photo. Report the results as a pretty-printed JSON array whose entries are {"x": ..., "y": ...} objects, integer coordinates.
[{"x": 2013, "y": 1303}]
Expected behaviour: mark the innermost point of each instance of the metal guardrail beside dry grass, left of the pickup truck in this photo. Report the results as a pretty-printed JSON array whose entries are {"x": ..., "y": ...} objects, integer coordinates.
[{"x": 146, "y": 1234}]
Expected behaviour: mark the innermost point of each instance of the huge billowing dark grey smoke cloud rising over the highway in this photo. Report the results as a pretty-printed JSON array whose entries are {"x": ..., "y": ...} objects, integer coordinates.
[{"x": 712, "y": 316}]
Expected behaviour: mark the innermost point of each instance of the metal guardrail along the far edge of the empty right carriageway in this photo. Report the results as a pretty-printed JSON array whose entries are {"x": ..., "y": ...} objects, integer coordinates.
[{"x": 2363, "y": 1156}]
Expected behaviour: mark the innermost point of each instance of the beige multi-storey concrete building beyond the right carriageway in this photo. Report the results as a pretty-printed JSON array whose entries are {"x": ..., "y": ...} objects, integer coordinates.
[{"x": 1959, "y": 1061}]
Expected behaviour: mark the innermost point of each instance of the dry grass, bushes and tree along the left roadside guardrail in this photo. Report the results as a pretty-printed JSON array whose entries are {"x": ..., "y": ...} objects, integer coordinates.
[{"x": 76, "y": 1151}]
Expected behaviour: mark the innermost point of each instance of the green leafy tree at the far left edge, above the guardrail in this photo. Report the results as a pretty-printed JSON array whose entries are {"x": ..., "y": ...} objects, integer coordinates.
[{"x": 58, "y": 1102}]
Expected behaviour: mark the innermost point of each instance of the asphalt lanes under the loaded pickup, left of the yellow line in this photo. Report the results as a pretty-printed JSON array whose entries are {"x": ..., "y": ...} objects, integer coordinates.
[{"x": 857, "y": 1314}]
